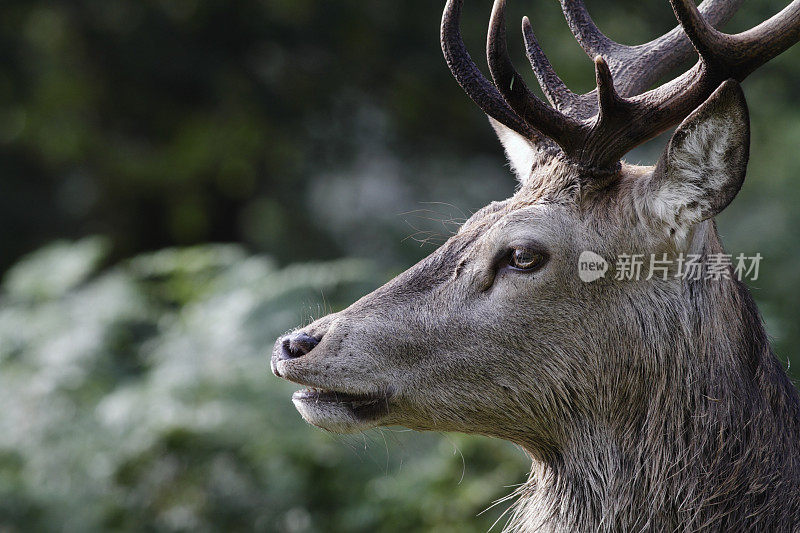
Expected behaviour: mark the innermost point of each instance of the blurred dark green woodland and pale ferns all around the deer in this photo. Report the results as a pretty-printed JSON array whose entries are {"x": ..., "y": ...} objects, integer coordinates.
[{"x": 135, "y": 132}]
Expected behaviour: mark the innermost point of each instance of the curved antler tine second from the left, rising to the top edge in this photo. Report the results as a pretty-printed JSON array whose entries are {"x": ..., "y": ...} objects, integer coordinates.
[{"x": 511, "y": 86}]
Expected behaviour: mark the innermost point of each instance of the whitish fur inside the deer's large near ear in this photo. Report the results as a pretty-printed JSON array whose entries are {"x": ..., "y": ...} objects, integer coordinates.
[{"x": 696, "y": 171}]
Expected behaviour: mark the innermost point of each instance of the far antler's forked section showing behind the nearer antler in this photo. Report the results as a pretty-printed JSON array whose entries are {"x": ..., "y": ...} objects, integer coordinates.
[{"x": 635, "y": 68}]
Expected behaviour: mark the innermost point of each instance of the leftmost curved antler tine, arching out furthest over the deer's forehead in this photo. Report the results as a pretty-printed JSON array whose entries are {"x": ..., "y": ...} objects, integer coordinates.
[{"x": 470, "y": 78}]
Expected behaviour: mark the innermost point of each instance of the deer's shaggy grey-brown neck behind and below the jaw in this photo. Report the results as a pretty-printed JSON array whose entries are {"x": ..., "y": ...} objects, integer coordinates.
[{"x": 710, "y": 444}]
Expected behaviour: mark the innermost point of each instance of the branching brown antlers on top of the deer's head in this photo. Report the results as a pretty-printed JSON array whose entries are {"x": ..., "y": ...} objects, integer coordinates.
[{"x": 597, "y": 128}]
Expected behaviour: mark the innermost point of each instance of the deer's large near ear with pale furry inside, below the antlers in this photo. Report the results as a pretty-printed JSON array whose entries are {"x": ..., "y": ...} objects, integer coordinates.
[{"x": 703, "y": 166}]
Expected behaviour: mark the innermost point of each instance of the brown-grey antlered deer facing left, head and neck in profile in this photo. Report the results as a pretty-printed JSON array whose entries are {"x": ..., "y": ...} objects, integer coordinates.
[{"x": 648, "y": 404}]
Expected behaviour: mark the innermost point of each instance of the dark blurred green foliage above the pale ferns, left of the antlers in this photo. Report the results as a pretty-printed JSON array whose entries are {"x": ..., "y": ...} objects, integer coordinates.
[{"x": 170, "y": 122}]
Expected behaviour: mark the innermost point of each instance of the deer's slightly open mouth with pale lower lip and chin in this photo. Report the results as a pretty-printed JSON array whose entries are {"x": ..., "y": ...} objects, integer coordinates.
[{"x": 341, "y": 412}]
